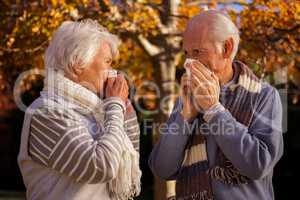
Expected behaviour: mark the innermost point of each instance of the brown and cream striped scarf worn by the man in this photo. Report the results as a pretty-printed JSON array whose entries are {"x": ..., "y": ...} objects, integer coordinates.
[{"x": 194, "y": 179}]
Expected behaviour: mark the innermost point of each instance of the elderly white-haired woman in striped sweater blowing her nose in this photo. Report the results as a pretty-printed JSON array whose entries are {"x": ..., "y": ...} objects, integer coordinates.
[{"x": 80, "y": 138}]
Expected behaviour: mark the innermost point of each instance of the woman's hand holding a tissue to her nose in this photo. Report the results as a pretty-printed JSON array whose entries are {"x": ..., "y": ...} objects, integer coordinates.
[{"x": 117, "y": 87}]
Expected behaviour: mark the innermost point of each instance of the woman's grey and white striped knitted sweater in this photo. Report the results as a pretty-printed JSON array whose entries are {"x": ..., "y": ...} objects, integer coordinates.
[{"x": 74, "y": 155}]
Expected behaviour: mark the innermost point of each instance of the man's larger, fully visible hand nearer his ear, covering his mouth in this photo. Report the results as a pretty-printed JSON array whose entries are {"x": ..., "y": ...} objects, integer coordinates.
[{"x": 205, "y": 86}]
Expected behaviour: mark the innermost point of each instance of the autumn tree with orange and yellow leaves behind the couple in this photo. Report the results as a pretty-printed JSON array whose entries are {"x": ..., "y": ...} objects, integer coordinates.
[{"x": 150, "y": 31}]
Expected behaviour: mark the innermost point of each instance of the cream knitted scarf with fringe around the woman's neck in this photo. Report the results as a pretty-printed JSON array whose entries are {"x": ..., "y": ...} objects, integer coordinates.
[{"x": 127, "y": 183}]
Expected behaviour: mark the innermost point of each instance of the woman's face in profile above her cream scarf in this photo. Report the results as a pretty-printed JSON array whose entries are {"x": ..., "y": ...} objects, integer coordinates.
[{"x": 94, "y": 75}]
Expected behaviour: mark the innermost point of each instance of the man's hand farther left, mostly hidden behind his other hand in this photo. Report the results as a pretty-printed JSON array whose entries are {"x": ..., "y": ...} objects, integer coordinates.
[{"x": 189, "y": 111}]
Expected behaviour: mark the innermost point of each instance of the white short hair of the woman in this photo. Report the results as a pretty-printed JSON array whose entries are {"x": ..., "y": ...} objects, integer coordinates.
[{"x": 76, "y": 43}]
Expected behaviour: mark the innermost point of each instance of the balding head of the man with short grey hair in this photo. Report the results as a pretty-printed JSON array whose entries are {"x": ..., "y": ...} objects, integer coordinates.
[{"x": 212, "y": 39}]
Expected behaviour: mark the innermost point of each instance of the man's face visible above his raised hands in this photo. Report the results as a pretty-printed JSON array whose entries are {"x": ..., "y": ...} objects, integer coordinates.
[{"x": 197, "y": 45}]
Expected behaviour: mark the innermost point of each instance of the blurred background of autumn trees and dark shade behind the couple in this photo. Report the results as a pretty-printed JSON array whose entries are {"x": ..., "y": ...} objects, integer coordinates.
[{"x": 150, "y": 31}]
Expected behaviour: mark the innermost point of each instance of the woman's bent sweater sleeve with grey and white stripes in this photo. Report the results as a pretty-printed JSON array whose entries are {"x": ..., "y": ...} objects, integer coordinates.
[{"x": 61, "y": 141}]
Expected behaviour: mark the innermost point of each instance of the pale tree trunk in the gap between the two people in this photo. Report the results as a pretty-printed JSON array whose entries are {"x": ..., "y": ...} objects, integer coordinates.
[{"x": 165, "y": 77}]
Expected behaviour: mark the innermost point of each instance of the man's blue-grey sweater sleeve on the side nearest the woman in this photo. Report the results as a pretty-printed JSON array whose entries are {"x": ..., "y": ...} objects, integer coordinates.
[{"x": 168, "y": 153}]
